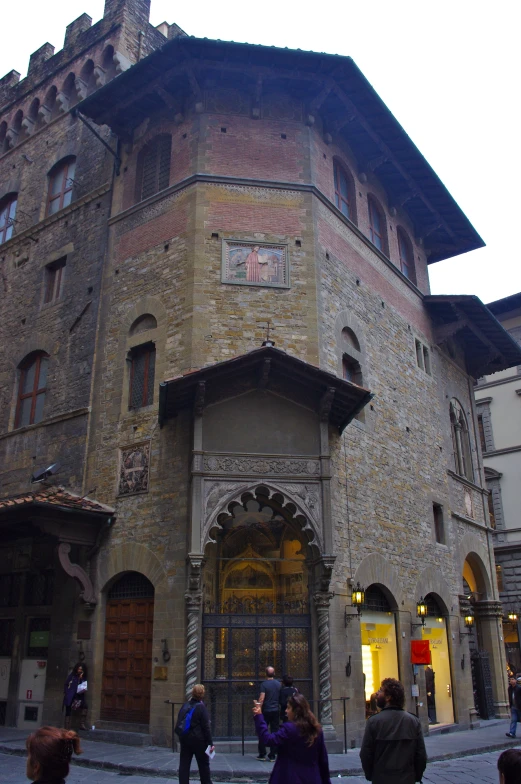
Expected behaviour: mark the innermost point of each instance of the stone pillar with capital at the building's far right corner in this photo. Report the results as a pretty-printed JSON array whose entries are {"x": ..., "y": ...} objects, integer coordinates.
[{"x": 490, "y": 635}]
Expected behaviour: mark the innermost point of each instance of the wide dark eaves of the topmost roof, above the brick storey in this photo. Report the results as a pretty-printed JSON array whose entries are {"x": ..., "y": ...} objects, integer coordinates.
[{"x": 330, "y": 85}]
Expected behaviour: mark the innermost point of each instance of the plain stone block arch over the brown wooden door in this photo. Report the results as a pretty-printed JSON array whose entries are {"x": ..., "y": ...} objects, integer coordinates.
[{"x": 130, "y": 557}]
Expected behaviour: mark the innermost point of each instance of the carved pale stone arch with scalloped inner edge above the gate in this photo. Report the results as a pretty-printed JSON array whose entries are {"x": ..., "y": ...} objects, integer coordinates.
[{"x": 305, "y": 498}]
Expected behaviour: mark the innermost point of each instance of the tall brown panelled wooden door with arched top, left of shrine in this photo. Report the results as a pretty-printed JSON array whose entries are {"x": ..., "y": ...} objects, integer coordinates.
[{"x": 127, "y": 660}]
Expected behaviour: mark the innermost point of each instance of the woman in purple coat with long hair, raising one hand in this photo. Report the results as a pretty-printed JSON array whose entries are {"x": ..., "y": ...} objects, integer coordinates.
[{"x": 302, "y": 755}]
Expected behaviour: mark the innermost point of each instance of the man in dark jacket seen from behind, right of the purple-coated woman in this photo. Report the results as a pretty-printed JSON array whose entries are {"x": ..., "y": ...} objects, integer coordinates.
[{"x": 393, "y": 749}]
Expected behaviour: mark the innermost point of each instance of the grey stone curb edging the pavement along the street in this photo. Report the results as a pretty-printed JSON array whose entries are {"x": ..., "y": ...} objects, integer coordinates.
[{"x": 239, "y": 775}]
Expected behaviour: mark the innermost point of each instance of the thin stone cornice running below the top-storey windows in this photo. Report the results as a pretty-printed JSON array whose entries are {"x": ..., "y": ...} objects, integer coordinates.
[{"x": 246, "y": 182}]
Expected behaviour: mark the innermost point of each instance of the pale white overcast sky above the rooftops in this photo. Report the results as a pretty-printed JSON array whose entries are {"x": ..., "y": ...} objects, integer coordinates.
[{"x": 448, "y": 71}]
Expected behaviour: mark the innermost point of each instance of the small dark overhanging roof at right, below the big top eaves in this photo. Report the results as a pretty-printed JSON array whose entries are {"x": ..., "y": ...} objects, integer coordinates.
[{"x": 487, "y": 345}]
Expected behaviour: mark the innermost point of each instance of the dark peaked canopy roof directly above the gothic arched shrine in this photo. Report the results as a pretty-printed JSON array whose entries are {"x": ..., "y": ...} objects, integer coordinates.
[{"x": 267, "y": 368}]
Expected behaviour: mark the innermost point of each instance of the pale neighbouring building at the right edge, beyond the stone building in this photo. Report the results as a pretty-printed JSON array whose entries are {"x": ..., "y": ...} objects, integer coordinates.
[{"x": 498, "y": 406}]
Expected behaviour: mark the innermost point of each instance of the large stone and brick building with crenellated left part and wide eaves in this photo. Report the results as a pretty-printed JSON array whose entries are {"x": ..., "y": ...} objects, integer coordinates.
[{"x": 217, "y": 496}]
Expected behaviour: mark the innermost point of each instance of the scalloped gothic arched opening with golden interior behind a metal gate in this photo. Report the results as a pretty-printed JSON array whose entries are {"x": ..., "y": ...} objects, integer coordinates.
[{"x": 256, "y": 606}]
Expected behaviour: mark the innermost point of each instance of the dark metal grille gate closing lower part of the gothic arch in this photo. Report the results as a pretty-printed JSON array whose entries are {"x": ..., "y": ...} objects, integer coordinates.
[{"x": 236, "y": 651}]
